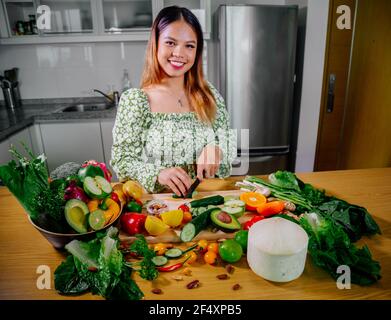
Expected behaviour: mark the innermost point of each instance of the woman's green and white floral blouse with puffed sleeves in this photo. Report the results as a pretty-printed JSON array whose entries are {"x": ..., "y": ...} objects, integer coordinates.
[{"x": 146, "y": 142}]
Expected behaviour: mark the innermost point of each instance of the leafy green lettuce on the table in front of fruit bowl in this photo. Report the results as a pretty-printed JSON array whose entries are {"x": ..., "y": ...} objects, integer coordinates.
[{"x": 97, "y": 266}]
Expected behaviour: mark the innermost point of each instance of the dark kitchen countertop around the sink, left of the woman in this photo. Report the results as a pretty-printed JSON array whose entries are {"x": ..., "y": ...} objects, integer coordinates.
[{"x": 12, "y": 121}]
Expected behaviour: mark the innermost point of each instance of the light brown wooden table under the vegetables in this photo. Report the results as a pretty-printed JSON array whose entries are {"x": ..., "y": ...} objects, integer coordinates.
[{"x": 23, "y": 250}]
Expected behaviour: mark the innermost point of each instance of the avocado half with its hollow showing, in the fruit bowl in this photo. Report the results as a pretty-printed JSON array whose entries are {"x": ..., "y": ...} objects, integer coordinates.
[{"x": 76, "y": 214}]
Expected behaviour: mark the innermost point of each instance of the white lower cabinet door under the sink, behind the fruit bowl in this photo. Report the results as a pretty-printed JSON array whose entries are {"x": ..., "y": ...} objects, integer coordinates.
[{"x": 70, "y": 141}]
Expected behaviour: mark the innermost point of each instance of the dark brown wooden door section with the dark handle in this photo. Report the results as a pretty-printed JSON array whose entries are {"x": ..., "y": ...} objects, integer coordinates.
[{"x": 337, "y": 62}]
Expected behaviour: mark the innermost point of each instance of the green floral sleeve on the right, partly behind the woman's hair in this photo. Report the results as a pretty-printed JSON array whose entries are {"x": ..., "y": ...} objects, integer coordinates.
[{"x": 224, "y": 135}]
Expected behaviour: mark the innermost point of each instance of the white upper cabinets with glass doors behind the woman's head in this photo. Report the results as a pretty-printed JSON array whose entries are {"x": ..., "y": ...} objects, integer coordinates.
[{"x": 64, "y": 21}]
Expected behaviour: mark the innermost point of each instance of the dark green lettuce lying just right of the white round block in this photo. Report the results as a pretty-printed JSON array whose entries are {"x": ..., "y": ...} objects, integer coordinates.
[{"x": 330, "y": 247}]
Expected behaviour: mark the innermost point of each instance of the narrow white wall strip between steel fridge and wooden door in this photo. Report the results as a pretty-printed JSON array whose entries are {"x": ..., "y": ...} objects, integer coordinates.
[{"x": 314, "y": 55}]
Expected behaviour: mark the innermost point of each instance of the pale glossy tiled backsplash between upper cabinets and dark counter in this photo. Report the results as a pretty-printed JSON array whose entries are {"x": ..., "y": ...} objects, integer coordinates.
[{"x": 72, "y": 70}]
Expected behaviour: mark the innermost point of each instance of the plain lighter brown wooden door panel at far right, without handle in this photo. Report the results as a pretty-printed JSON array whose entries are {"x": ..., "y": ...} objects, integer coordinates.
[{"x": 366, "y": 139}]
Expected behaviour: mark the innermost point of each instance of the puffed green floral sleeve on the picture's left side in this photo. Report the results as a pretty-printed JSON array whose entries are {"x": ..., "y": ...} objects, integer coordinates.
[{"x": 128, "y": 158}]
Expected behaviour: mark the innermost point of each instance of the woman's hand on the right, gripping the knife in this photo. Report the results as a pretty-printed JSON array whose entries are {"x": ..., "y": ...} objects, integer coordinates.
[{"x": 208, "y": 162}]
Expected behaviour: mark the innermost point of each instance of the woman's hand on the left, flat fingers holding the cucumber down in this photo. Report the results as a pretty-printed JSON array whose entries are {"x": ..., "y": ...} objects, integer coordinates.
[{"x": 176, "y": 179}]
